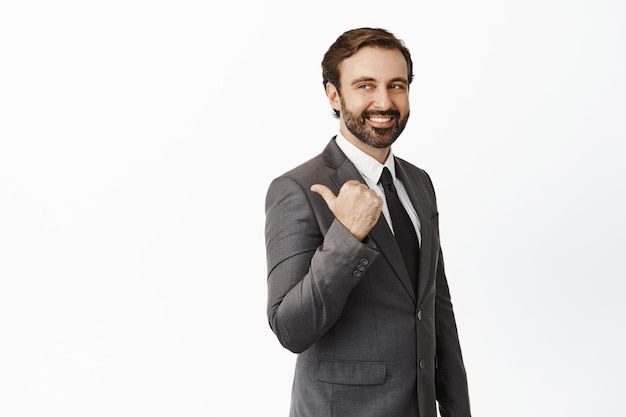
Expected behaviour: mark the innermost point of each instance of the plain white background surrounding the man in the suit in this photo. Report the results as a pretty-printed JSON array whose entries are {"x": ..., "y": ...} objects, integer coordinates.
[{"x": 137, "y": 142}]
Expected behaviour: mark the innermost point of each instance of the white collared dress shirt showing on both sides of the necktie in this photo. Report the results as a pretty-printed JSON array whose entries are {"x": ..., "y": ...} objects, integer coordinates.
[{"x": 370, "y": 169}]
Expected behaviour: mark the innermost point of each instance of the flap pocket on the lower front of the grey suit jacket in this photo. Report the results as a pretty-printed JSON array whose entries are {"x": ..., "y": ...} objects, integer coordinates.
[{"x": 351, "y": 373}]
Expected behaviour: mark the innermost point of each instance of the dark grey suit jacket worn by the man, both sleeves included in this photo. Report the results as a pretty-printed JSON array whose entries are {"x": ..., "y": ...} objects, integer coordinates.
[{"x": 367, "y": 344}]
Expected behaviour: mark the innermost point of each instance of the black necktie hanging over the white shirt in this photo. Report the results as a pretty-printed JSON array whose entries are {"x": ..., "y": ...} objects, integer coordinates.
[{"x": 402, "y": 226}]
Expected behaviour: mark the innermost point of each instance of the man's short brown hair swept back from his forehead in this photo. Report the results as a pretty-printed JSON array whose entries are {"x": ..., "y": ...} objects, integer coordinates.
[{"x": 350, "y": 42}]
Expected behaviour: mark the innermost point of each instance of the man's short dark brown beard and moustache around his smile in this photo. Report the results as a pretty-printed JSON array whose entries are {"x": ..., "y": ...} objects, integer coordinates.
[{"x": 375, "y": 137}]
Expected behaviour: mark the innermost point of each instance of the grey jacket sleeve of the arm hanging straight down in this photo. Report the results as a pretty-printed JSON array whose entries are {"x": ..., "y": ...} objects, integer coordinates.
[{"x": 450, "y": 376}]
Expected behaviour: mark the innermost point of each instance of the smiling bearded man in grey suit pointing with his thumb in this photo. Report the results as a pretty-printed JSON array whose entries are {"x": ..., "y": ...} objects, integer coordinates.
[{"x": 361, "y": 296}]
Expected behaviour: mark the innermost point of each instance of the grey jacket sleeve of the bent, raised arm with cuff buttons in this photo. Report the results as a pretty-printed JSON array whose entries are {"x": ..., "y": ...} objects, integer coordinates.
[{"x": 310, "y": 272}]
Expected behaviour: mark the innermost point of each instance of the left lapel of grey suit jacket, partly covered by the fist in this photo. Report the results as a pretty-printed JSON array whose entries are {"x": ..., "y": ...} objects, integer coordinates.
[{"x": 381, "y": 233}]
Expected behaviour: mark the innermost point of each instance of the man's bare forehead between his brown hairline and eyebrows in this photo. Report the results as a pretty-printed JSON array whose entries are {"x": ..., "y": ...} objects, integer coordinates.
[{"x": 375, "y": 63}]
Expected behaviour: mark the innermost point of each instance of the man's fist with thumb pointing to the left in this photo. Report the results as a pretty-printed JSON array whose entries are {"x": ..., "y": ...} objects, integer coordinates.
[{"x": 357, "y": 207}]
